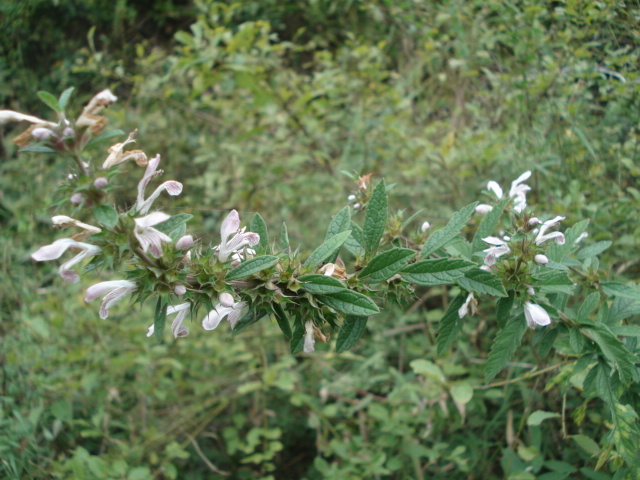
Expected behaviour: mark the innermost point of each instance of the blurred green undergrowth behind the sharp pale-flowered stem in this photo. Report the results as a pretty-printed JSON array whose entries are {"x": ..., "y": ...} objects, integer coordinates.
[{"x": 262, "y": 106}]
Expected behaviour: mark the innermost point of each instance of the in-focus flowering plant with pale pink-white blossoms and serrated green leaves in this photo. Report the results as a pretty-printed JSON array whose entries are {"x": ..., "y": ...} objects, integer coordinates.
[{"x": 525, "y": 269}]
